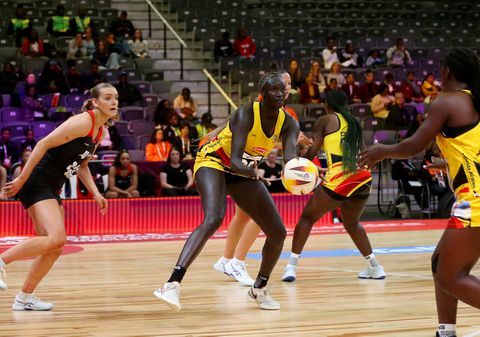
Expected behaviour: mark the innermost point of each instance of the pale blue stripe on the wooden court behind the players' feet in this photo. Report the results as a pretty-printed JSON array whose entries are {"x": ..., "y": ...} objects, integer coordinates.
[{"x": 353, "y": 252}]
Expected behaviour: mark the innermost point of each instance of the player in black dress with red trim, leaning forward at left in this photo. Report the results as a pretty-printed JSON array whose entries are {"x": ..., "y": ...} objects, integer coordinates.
[{"x": 62, "y": 154}]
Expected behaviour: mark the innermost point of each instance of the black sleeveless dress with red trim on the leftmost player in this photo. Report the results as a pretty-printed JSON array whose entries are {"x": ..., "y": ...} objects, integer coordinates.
[{"x": 57, "y": 165}]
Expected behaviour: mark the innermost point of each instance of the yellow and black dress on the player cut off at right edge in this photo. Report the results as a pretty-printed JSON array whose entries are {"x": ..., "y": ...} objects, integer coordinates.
[{"x": 461, "y": 149}]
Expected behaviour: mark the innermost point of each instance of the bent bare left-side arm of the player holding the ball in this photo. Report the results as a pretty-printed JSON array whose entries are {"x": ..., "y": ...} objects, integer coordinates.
[{"x": 240, "y": 124}]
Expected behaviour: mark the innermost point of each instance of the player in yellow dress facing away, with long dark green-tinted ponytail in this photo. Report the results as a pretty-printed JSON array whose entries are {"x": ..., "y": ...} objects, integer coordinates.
[{"x": 340, "y": 136}]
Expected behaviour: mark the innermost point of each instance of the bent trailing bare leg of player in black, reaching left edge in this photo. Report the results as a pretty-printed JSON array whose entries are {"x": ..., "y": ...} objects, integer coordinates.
[{"x": 47, "y": 215}]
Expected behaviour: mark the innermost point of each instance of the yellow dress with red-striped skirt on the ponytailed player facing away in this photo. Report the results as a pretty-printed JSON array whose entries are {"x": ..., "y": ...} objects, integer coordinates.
[{"x": 339, "y": 184}]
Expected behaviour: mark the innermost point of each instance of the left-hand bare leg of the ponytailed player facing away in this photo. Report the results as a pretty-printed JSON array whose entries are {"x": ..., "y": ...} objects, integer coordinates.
[{"x": 319, "y": 204}]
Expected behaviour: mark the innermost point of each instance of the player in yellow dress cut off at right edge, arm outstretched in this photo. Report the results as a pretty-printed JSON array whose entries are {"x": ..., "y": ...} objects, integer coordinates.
[{"x": 454, "y": 120}]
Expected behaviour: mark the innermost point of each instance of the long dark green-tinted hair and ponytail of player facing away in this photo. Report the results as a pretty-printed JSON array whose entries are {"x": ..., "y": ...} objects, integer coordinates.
[{"x": 352, "y": 140}]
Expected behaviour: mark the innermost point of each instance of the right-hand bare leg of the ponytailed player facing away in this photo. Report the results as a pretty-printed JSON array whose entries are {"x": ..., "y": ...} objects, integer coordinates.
[{"x": 351, "y": 211}]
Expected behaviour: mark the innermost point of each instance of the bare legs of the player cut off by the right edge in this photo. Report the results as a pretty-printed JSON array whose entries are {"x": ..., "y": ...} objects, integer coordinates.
[{"x": 457, "y": 252}]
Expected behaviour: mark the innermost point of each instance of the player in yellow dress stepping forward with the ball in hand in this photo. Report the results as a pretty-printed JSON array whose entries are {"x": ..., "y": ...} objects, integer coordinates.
[{"x": 228, "y": 164}]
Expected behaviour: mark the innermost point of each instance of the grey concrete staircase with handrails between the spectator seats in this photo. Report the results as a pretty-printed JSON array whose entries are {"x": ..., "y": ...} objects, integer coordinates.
[{"x": 195, "y": 58}]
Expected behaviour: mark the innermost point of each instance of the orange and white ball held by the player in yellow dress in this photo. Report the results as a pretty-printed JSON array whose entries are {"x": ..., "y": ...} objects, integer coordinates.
[{"x": 300, "y": 176}]
